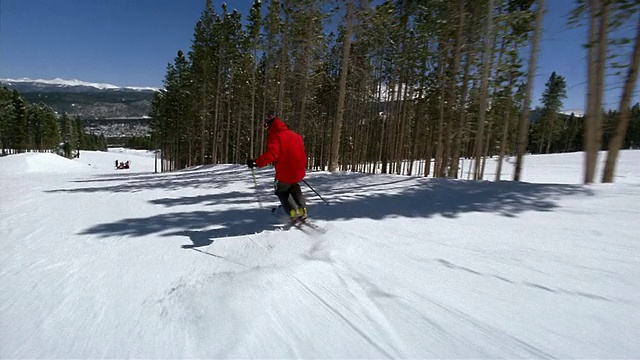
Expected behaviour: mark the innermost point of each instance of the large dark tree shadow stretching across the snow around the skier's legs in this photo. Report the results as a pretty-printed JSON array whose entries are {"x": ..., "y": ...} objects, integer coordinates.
[{"x": 352, "y": 196}]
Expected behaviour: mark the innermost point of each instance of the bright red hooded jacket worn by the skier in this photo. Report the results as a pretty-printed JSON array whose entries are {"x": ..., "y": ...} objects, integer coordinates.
[{"x": 285, "y": 149}]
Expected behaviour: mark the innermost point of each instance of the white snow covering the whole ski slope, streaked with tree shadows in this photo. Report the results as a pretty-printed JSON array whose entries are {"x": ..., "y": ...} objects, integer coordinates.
[{"x": 104, "y": 263}]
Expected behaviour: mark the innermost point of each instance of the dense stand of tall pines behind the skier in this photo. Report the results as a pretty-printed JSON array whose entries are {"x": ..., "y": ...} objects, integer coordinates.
[{"x": 400, "y": 81}]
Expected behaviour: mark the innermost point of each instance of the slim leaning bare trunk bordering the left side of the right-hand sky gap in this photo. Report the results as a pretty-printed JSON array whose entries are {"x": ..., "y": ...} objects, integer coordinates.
[{"x": 523, "y": 126}]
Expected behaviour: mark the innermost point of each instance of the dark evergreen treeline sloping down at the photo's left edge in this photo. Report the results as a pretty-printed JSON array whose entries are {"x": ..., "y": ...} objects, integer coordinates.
[{"x": 37, "y": 127}]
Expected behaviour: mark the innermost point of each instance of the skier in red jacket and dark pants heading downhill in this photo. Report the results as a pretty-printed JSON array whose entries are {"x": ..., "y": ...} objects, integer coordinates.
[{"x": 285, "y": 149}]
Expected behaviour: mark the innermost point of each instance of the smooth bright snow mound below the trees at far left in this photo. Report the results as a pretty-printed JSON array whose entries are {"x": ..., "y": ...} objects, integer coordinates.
[{"x": 29, "y": 163}]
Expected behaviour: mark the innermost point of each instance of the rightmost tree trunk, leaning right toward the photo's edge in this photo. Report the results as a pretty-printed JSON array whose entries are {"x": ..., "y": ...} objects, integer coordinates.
[{"x": 623, "y": 120}]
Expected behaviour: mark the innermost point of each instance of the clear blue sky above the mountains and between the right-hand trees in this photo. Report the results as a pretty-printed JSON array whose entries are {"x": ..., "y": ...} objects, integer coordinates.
[{"x": 130, "y": 42}]
